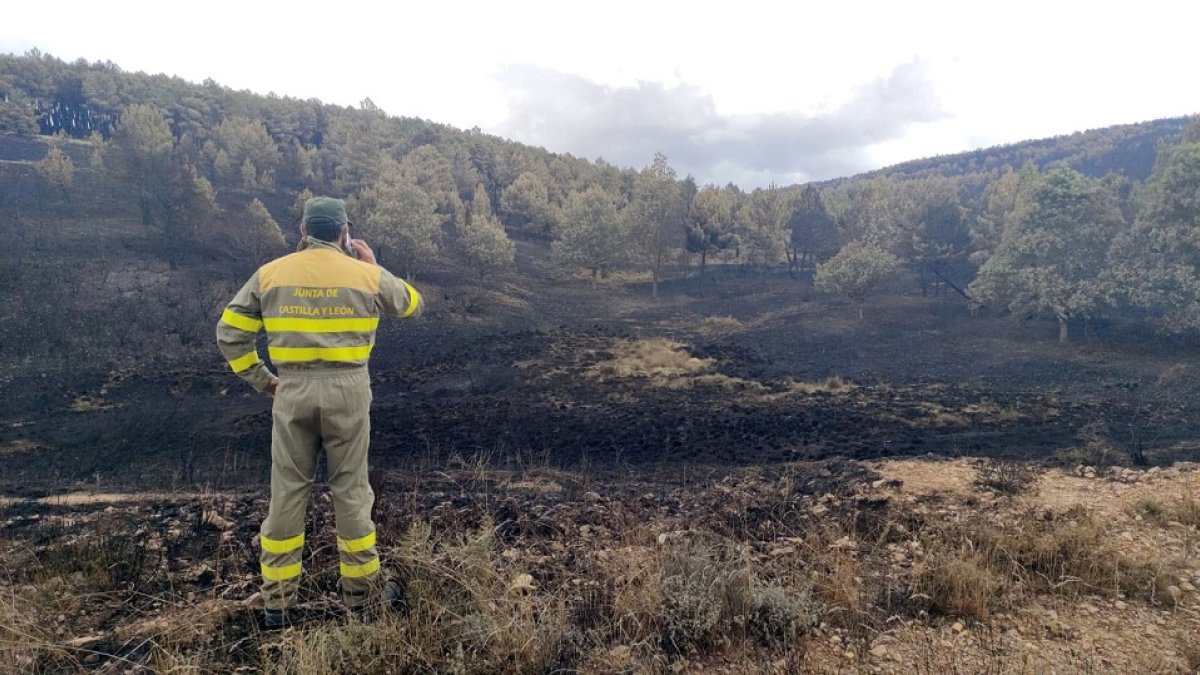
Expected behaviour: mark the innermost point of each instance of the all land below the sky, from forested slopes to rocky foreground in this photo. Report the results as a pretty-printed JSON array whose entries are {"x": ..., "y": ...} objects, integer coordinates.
[{"x": 815, "y": 429}]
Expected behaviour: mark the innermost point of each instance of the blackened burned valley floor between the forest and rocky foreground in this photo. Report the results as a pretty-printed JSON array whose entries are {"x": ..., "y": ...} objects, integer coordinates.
[{"x": 519, "y": 385}]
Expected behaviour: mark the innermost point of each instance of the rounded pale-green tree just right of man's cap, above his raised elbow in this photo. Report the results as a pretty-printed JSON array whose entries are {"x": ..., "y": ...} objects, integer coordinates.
[{"x": 400, "y": 219}]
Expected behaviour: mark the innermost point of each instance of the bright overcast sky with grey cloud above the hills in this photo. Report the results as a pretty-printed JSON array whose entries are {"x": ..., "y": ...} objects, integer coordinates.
[{"x": 747, "y": 92}]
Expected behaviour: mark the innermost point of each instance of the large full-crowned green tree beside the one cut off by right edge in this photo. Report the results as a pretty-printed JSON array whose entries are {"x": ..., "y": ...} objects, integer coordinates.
[{"x": 1053, "y": 259}]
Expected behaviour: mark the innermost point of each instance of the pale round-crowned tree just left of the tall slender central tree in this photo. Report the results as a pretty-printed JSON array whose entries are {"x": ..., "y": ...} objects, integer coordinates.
[{"x": 592, "y": 235}]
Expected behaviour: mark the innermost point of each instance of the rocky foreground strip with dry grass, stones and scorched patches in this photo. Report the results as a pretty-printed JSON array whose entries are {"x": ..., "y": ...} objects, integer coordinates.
[{"x": 832, "y": 566}]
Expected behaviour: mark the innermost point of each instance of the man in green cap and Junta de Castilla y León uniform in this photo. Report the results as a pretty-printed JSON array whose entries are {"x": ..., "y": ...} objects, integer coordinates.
[{"x": 320, "y": 308}]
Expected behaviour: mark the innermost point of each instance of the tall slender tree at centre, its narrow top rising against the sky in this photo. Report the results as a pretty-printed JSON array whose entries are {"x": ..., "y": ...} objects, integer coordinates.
[{"x": 656, "y": 217}]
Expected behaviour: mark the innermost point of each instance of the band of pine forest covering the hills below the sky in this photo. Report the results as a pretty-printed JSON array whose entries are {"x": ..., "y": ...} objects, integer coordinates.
[{"x": 208, "y": 164}]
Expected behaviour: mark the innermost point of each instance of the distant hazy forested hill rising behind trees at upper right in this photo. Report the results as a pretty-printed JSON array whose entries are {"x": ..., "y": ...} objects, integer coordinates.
[{"x": 1127, "y": 150}]
